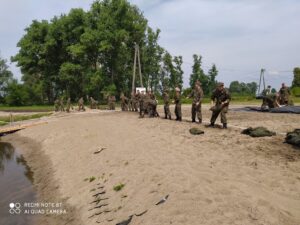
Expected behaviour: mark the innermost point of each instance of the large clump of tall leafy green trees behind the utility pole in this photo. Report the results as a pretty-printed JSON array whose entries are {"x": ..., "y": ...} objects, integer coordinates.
[{"x": 80, "y": 53}]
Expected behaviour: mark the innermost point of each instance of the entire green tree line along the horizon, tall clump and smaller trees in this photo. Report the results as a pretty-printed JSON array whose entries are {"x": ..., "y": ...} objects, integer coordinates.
[{"x": 91, "y": 53}]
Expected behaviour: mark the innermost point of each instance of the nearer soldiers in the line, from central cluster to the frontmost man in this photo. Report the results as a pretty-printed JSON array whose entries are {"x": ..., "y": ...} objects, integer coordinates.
[{"x": 146, "y": 103}]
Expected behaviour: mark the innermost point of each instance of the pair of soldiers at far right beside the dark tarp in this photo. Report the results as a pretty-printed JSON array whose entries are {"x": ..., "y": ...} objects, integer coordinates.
[{"x": 275, "y": 100}]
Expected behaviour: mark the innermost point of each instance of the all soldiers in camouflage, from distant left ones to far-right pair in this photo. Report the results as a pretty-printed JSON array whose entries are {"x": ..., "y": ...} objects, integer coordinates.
[{"x": 145, "y": 102}]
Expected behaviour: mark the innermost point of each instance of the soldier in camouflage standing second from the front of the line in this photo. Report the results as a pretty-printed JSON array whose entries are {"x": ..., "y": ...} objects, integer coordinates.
[{"x": 197, "y": 95}]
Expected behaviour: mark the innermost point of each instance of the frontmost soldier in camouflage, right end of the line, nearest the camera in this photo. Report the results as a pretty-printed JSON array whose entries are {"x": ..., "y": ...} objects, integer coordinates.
[{"x": 221, "y": 98}]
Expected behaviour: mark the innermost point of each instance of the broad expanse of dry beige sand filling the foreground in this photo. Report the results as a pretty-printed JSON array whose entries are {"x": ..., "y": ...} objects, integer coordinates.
[{"x": 221, "y": 177}]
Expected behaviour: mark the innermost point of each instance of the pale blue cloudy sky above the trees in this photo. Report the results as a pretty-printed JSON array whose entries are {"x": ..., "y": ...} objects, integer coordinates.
[{"x": 239, "y": 36}]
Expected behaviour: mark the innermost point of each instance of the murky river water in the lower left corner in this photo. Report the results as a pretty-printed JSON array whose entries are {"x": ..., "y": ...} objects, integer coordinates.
[{"x": 16, "y": 187}]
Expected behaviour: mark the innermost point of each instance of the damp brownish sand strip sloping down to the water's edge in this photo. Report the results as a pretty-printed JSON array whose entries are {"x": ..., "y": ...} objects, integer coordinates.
[{"x": 43, "y": 180}]
